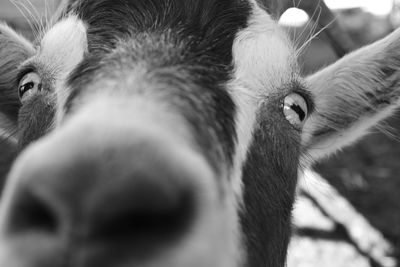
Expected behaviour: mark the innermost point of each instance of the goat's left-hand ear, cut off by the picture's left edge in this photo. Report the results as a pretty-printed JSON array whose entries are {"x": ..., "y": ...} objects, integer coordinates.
[{"x": 14, "y": 49}]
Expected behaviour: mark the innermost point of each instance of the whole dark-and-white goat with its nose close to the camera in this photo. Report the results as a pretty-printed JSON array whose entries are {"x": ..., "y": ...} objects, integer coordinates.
[{"x": 170, "y": 133}]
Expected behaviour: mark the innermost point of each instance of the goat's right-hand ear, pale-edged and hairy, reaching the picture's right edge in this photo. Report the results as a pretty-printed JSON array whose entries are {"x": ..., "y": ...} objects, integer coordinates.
[{"x": 352, "y": 95}]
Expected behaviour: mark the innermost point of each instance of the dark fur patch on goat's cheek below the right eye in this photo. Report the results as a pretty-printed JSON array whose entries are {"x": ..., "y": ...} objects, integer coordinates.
[{"x": 269, "y": 178}]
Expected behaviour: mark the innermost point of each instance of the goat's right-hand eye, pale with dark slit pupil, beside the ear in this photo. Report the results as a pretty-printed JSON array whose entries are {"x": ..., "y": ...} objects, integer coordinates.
[{"x": 295, "y": 109}]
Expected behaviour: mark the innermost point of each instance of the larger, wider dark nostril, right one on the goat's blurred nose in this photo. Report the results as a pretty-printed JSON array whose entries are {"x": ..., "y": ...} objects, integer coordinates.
[{"x": 148, "y": 215}]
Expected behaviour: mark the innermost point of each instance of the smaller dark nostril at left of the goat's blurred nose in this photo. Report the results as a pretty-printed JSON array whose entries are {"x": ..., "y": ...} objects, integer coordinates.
[{"x": 32, "y": 214}]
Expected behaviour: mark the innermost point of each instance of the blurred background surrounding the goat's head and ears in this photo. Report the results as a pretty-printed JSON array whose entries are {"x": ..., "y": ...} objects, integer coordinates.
[{"x": 348, "y": 212}]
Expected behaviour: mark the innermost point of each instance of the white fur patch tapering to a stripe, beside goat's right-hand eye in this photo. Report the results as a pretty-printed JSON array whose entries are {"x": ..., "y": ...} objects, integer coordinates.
[{"x": 264, "y": 59}]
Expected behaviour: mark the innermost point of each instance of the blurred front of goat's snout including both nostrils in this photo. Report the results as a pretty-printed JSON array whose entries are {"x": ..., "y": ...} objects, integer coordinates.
[{"x": 98, "y": 203}]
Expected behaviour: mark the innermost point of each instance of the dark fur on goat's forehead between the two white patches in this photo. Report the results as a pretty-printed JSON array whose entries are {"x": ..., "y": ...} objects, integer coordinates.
[{"x": 193, "y": 39}]
